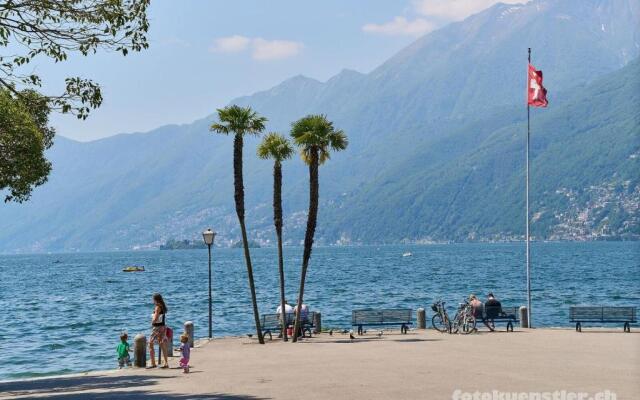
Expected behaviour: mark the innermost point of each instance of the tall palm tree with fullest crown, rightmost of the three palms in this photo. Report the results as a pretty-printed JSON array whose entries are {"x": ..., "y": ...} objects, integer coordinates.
[{"x": 315, "y": 136}]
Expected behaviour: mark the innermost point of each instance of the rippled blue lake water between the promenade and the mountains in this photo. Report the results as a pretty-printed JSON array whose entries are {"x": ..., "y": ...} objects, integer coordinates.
[{"x": 66, "y": 316}]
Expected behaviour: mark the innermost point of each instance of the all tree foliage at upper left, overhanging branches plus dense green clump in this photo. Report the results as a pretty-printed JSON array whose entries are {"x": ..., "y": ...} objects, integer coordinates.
[{"x": 53, "y": 29}]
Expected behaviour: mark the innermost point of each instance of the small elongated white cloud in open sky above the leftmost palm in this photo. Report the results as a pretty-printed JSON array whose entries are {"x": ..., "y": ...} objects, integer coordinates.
[{"x": 261, "y": 49}]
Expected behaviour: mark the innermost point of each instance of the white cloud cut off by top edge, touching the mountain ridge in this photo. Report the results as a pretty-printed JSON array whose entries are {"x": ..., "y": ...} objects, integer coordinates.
[{"x": 455, "y": 10}]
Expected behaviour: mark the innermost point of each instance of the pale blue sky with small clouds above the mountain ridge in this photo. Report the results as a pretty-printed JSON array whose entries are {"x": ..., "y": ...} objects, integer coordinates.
[{"x": 205, "y": 53}]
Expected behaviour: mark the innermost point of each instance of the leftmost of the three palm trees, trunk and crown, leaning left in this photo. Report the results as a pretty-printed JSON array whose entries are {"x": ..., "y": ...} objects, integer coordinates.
[{"x": 241, "y": 121}]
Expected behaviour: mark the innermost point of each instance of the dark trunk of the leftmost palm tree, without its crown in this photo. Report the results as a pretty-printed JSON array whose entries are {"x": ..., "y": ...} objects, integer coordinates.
[{"x": 239, "y": 198}]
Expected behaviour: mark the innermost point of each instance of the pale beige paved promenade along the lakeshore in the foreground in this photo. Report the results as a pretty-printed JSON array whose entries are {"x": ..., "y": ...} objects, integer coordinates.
[{"x": 419, "y": 365}]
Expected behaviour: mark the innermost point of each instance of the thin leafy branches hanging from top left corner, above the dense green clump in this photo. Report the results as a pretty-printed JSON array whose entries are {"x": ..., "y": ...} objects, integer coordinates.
[{"x": 57, "y": 28}]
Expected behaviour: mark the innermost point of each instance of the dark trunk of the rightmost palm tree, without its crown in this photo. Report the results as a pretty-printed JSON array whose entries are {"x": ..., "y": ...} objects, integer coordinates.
[{"x": 311, "y": 230}]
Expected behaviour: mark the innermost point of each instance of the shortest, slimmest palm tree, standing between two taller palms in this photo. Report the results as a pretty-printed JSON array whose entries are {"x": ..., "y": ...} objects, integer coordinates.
[{"x": 278, "y": 148}]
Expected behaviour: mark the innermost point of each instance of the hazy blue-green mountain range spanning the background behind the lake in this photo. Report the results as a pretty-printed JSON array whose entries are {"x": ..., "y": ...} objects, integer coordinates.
[{"x": 436, "y": 148}]
